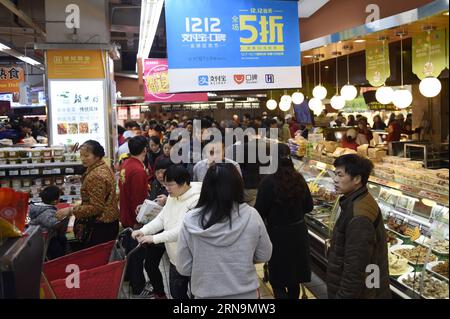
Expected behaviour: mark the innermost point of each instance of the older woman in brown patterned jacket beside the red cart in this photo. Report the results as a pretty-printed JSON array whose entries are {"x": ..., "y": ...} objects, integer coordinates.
[{"x": 97, "y": 216}]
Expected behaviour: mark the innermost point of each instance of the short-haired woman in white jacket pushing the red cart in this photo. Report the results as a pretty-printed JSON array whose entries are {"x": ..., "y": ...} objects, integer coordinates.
[{"x": 182, "y": 198}]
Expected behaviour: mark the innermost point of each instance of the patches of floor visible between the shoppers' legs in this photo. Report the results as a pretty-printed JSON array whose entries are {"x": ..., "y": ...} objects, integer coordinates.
[{"x": 265, "y": 289}]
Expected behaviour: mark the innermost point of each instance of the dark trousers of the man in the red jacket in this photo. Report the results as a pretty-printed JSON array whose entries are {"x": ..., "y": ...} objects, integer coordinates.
[{"x": 135, "y": 265}]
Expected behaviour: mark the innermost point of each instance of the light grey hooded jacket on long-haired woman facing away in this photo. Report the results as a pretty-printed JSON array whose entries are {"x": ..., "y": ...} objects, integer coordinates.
[{"x": 220, "y": 259}]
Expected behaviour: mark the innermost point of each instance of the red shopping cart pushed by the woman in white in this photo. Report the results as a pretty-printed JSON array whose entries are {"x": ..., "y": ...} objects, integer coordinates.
[{"x": 101, "y": 272}]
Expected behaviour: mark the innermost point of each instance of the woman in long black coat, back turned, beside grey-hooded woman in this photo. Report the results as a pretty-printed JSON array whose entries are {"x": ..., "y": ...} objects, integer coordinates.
[{"x": 283, "y": 200}]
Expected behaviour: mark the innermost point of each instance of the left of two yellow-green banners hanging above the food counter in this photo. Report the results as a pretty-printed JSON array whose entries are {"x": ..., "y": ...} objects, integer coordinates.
[{"x": 377, "y": 64}]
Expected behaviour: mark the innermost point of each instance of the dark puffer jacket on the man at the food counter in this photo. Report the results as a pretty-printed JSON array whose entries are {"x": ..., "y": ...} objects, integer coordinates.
[{"x": 358, "y": 241}]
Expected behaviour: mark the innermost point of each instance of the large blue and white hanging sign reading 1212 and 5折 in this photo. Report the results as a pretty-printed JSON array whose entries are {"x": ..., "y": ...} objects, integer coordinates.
[{"x": 232, "y": 45}]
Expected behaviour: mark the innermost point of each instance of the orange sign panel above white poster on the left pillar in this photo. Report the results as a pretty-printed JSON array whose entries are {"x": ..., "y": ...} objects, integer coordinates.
[{"x": 75, "y": 64}]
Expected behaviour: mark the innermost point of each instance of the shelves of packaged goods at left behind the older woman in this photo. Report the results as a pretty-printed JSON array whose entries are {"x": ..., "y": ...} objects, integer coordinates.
[{"x": 32, "y": 169}]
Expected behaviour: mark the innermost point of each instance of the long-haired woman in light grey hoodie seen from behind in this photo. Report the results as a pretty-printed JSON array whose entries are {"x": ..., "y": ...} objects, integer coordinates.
[{"x": 222, "y": 239}]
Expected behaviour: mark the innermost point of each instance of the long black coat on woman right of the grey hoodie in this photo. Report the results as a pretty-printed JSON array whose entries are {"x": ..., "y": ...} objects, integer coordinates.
[{"x": 290, "y": 262}]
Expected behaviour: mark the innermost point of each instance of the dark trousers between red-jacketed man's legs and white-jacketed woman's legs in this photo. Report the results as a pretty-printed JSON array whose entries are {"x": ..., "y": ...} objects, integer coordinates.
[{"x": 153, "y": 255}]
